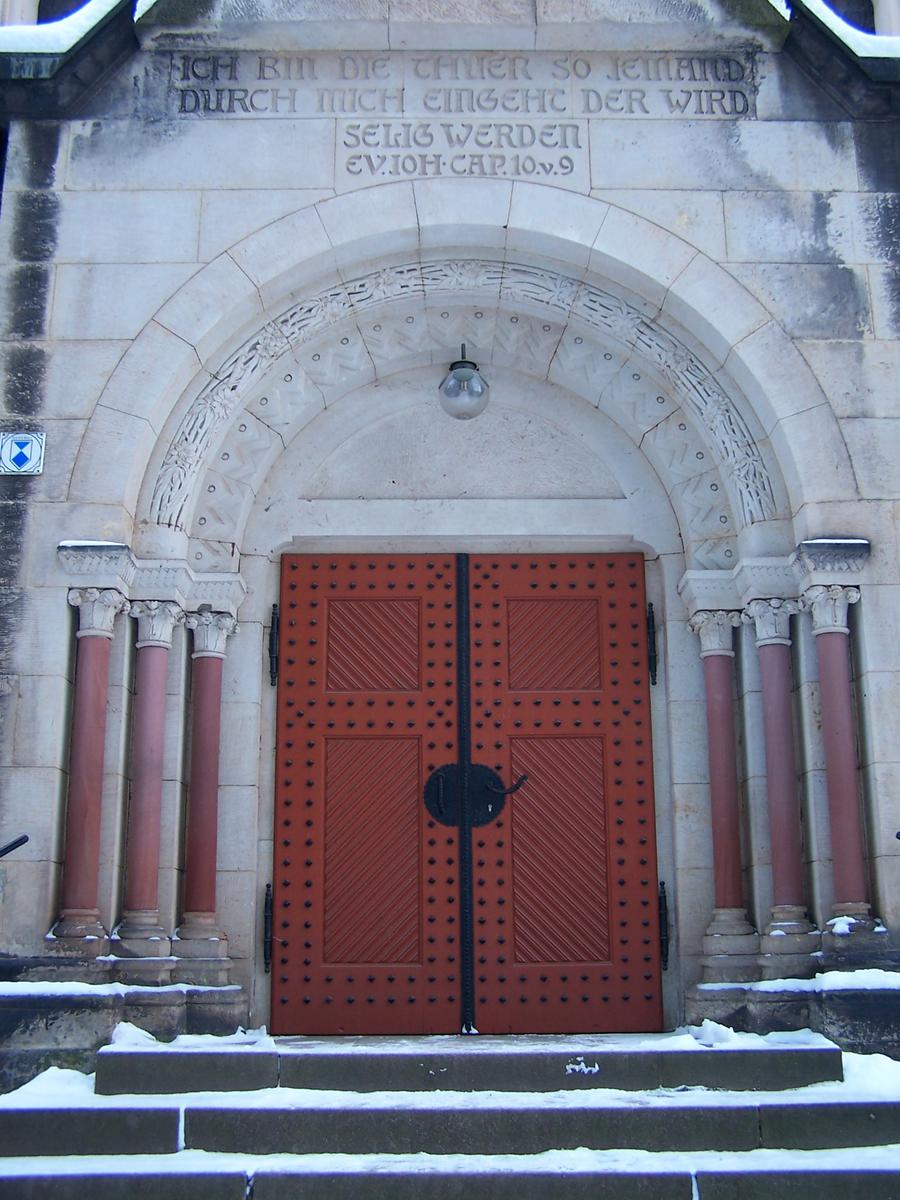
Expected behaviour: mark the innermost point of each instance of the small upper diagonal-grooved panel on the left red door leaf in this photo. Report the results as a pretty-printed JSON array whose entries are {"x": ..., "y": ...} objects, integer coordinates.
[{"x": 373, "y": 645}]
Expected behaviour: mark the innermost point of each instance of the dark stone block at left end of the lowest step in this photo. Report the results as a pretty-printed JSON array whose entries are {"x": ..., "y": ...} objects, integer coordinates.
[{"x": 136, "y": 1187}]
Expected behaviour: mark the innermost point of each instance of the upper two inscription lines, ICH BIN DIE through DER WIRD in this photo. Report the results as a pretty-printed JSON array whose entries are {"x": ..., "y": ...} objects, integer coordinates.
[{"x": 467, "y": 85}]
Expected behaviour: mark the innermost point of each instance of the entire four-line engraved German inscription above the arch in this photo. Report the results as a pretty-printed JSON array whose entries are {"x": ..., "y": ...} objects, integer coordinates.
[{"x": 475, "y": 115}]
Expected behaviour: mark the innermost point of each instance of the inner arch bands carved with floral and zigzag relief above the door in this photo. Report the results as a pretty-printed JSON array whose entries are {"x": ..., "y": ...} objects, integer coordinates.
[{"x": 544, "y": 322}]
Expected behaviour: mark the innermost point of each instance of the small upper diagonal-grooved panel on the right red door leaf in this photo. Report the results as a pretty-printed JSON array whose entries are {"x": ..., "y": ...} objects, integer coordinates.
[{"x": 554, "y": 645}]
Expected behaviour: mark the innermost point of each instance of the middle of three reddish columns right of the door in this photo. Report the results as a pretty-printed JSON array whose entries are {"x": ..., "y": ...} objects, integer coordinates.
[{"x": 789, "y": 938}]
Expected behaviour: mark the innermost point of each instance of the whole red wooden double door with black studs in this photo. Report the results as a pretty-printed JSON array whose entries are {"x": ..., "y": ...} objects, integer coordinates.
[{"x": 370, "y": 915}]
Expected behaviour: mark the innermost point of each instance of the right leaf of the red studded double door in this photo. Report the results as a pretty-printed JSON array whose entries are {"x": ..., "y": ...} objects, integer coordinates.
[{"x": 567, "y": 929}]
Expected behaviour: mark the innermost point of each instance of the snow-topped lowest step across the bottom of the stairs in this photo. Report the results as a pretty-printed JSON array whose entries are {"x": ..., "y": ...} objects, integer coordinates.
[{"x": 555, "y": 1175}]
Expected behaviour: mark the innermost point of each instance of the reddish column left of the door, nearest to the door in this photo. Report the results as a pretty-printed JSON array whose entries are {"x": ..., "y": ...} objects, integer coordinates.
[{"x": 199, "y": 935}]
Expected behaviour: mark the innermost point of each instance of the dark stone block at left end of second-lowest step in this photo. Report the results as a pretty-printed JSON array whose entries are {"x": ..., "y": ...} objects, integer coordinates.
[{"x": 26, "y": 1132}]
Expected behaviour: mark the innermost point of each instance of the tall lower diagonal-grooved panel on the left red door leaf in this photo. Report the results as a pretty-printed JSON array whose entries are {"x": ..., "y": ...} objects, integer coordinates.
[{"x": 373, "y": 892}]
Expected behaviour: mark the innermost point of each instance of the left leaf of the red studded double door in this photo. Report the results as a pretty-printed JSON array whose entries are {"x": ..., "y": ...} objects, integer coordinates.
[{"x": 367, "y": 896}]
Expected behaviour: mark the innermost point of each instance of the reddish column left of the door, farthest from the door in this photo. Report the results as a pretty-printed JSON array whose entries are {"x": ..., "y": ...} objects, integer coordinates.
[{"x": 80, "y": 927}]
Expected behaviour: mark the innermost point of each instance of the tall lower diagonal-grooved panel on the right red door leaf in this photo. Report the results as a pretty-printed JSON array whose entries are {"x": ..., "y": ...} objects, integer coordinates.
[{"x": 561, "y": 892}]
